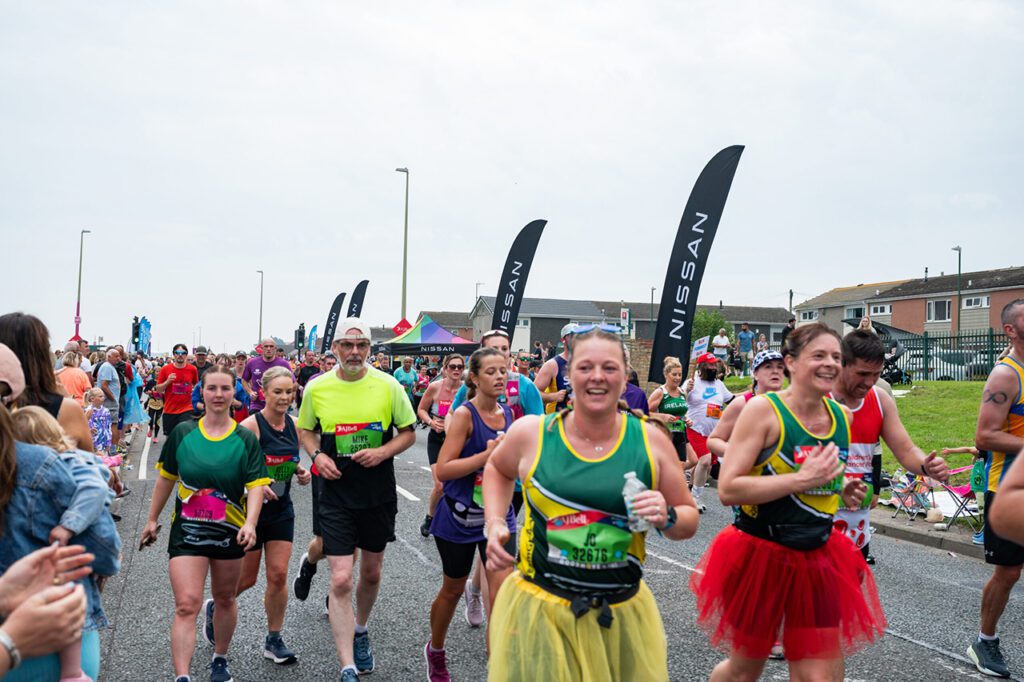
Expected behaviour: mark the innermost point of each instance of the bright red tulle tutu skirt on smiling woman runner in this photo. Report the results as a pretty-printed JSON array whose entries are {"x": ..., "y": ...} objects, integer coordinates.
[{"x": 824, "y": 602}]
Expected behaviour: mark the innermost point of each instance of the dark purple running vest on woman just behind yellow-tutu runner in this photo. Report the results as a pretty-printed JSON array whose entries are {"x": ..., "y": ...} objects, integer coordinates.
[{"x": 460, "y": 516}]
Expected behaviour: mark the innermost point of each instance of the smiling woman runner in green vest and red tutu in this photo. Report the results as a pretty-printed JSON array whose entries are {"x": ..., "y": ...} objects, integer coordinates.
[{"x": 781, "y": 567}]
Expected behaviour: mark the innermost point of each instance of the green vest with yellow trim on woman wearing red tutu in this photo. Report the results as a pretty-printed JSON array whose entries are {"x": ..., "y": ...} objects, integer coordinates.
[{"x": 813, "y": 507}]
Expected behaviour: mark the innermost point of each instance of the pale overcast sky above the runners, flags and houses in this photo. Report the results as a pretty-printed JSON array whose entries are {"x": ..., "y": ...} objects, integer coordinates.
[{"x": 201, "y": 142}]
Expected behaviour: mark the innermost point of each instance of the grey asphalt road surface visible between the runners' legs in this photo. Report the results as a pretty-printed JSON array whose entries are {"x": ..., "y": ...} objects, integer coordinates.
[{"x": 931, "y": 600}]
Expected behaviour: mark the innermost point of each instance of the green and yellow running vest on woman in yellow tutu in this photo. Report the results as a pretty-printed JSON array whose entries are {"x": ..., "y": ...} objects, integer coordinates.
[{"x": 576, "y": 537}]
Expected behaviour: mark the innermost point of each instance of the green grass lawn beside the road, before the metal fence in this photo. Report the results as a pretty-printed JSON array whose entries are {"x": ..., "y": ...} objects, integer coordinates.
[{"x": 937, "y": 415}]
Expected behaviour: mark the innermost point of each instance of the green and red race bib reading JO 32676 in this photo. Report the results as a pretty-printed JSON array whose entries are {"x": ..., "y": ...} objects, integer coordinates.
[{"x": 591, "y": 540}]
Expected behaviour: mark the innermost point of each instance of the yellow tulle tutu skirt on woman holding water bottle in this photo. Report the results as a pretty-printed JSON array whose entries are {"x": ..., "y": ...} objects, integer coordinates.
[{"x": 535, "y": 636}]
